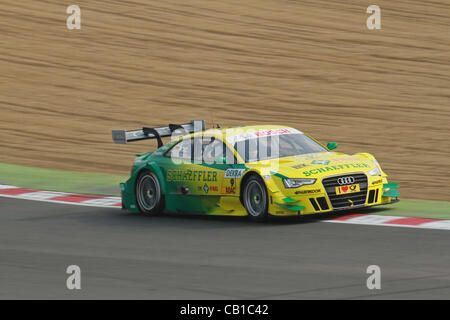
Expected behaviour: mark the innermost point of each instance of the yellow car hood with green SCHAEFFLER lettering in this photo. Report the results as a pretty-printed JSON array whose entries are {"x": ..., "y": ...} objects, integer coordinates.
[{"x": 322, "y": 164}]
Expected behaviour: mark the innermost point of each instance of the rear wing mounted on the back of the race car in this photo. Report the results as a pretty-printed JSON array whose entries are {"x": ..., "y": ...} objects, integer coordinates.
[{"x": 122, "y": 136}]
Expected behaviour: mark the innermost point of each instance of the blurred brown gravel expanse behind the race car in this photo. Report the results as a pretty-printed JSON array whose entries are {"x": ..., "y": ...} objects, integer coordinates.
[{"x": 309, "y": 64}]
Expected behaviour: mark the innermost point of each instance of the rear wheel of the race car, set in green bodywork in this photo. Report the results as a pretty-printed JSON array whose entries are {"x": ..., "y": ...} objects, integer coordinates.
[{"x": 149, "y": 197}]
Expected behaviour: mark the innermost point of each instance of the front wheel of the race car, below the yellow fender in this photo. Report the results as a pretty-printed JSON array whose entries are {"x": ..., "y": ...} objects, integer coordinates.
[{"x": 255, "y": 198}]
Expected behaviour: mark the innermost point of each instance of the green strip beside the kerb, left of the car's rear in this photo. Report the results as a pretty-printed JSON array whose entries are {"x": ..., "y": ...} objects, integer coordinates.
[{"x": 60, "y": 180}]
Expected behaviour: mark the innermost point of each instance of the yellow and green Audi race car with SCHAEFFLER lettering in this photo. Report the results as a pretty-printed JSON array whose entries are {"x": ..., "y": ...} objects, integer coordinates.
[{"x": 249, "y": 170}]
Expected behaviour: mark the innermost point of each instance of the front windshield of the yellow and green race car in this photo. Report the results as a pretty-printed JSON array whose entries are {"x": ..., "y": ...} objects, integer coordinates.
[{"x": 278, "y": 146}]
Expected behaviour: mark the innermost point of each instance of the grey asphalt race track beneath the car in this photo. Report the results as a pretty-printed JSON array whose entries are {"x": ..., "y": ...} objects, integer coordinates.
[{"x": 122, "y": 255}]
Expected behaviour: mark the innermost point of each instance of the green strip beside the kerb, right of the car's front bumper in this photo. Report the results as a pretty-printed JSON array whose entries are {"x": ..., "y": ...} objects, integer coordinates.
[{"x": 414, "y": 208}]
